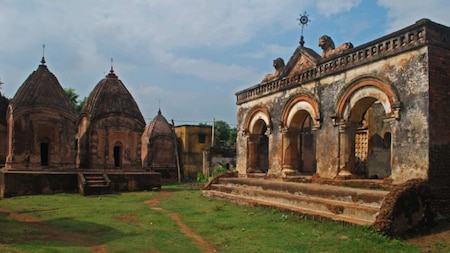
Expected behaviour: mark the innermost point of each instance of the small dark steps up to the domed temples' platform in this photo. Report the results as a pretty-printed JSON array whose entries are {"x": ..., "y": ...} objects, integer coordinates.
[{"x": 94, "y": 183}]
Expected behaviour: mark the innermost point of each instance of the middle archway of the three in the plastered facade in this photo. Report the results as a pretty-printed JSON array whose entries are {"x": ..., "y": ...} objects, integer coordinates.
[{"x": 300, "y": 119}]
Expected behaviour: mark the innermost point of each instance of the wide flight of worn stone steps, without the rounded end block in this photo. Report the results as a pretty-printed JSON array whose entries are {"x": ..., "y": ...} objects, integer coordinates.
[{"x": 317, "y": 201}]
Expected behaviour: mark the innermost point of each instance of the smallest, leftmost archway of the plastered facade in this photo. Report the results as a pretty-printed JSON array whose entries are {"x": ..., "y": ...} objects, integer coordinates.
[{"x": 257, "y": 128}]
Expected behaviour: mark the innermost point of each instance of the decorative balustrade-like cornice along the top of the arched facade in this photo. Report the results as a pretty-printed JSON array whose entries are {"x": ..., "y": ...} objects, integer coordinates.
[{"x": 409, "y": 38}]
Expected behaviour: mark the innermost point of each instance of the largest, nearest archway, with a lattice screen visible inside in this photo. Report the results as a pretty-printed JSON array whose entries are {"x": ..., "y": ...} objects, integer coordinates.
[{"x": 365, "y": 111}]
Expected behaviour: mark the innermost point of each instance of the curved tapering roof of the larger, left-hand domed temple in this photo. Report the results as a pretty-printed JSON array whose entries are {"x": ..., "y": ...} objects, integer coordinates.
[{"x": 42, "y": 89}]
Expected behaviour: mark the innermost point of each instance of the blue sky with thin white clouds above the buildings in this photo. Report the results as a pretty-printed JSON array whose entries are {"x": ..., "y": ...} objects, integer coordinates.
[{"x": 185, "y": 57}]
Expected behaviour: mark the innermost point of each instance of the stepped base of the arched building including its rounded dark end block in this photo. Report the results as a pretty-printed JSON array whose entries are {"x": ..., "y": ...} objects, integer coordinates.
[{"x": 393, "y": 210}]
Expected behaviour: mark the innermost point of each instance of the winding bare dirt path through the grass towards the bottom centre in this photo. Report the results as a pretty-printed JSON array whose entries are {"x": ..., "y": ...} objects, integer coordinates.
[{"x": 202, "y": 243}]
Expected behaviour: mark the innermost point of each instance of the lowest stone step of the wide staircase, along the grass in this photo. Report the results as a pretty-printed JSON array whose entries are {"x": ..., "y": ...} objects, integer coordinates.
[{"x": 312, "y": 214}]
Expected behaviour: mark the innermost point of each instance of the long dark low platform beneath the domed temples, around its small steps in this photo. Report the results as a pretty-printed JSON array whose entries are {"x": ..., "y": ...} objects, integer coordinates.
[{"x": 27, "y": 182}]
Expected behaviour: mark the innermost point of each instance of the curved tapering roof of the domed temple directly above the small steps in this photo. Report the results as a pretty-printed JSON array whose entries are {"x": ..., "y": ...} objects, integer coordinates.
[{"x": 110, "y": 96}]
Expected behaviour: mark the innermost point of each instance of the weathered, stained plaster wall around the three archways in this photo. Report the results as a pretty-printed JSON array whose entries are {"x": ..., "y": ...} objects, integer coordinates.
[{"x": 405, "y": 75}]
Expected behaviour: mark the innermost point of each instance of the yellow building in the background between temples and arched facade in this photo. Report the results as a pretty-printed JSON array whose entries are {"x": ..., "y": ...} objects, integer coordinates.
[{"x": 192, "y": 140}]
